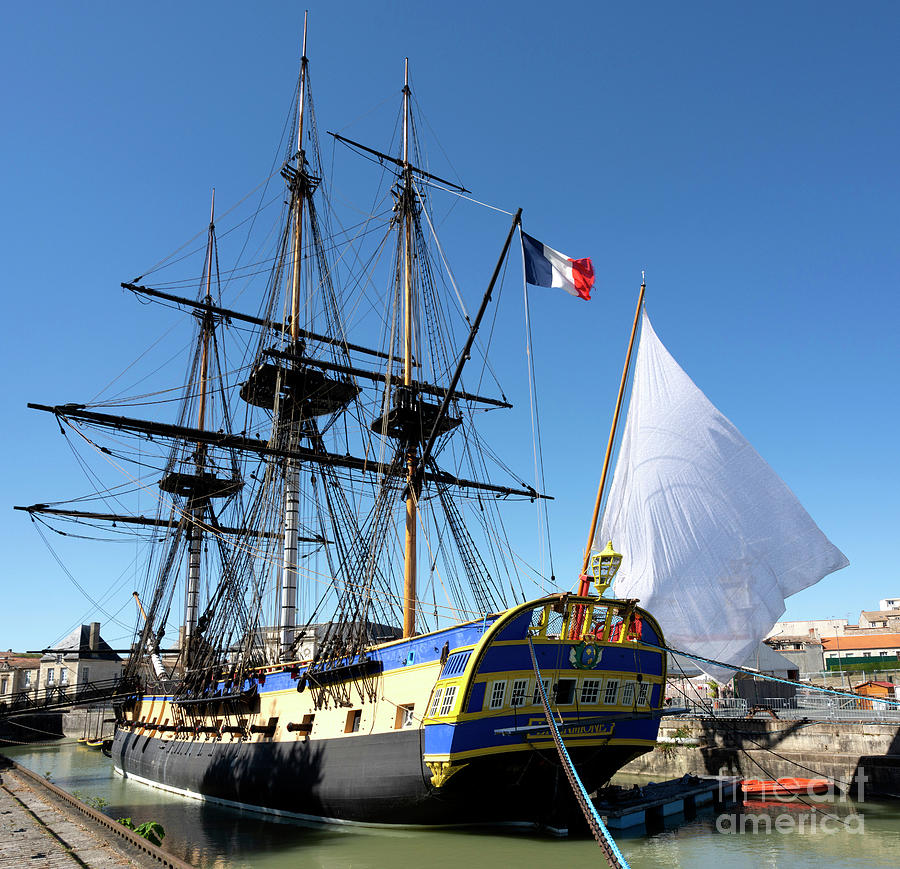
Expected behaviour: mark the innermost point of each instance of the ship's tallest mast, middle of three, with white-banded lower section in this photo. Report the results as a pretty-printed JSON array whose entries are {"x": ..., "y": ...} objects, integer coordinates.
[{"x": 288, "y": 617}]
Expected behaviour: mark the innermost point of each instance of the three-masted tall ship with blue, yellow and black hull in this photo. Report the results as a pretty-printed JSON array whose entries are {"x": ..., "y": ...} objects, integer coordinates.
[{"x": 332, "y": 624}]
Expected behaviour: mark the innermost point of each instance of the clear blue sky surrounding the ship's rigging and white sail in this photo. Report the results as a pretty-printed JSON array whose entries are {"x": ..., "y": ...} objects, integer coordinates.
[{"x": 745, "y": 155}]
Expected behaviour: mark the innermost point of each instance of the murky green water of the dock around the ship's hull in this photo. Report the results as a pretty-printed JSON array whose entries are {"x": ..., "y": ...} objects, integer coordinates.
[{"x": 866, "y": 834}]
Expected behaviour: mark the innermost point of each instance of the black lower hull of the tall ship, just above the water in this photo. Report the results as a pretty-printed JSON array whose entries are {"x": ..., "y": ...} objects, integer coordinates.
[{"x": 370, "y": 779}]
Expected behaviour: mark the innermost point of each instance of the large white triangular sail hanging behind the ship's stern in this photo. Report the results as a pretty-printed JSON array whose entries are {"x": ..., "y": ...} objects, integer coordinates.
[{"x": 713, "y": 540}]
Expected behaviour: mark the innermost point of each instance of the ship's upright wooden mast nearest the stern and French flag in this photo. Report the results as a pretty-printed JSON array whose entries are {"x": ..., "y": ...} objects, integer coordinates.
[{"x": 412, "y": 495}]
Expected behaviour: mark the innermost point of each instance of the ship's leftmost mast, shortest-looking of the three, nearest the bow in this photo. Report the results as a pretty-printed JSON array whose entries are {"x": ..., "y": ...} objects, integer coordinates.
[{"x": 192, "y": 589}]
